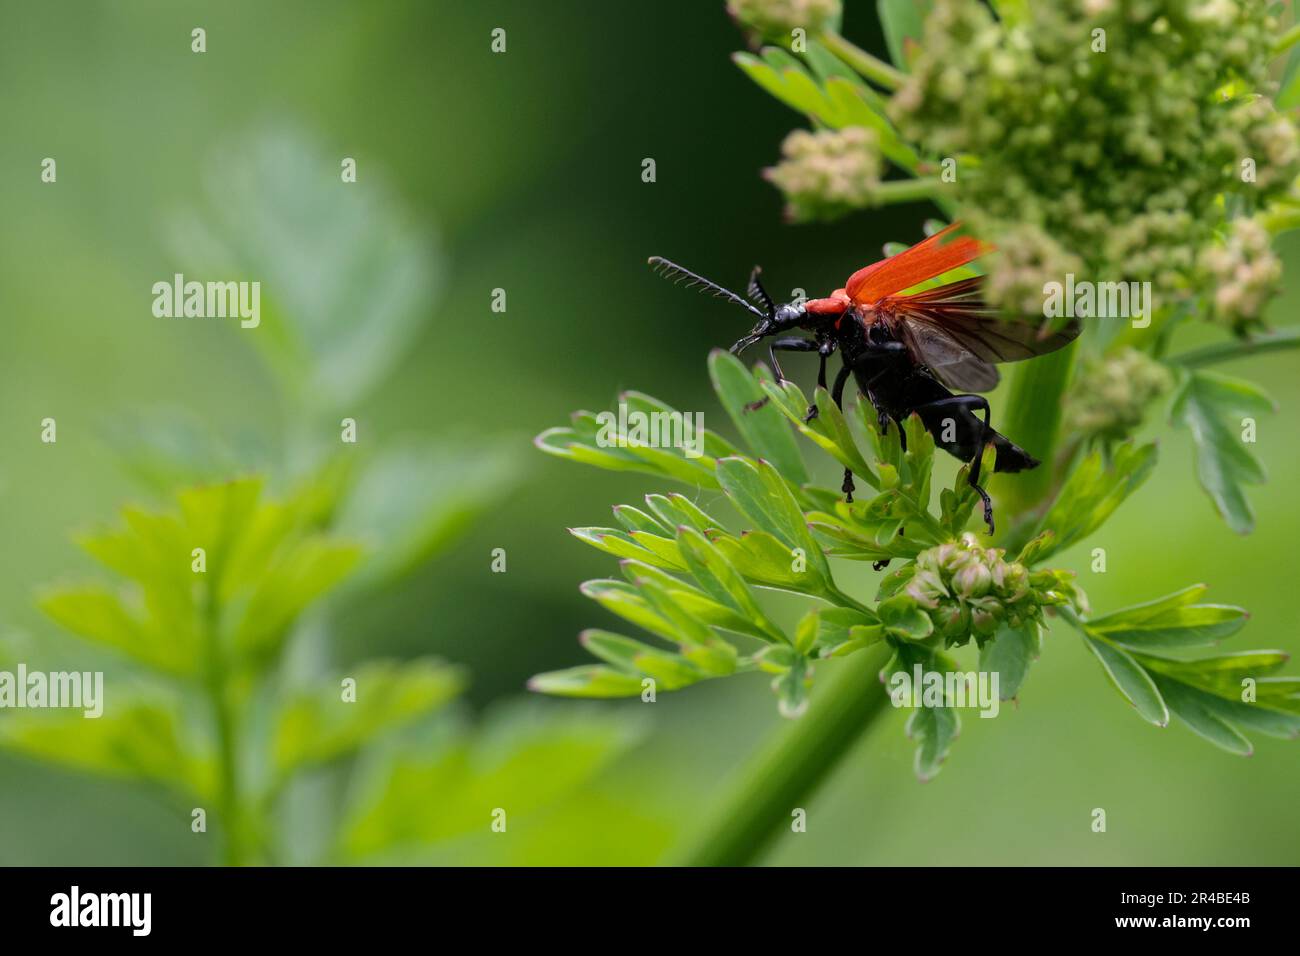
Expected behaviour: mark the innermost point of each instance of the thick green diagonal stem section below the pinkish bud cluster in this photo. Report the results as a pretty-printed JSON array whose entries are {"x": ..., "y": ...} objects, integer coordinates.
[{"x": 791, "y": 767}]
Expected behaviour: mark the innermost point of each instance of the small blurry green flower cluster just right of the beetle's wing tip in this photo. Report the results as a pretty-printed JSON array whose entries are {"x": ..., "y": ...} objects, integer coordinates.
[{"x": 1112, "y": 393}]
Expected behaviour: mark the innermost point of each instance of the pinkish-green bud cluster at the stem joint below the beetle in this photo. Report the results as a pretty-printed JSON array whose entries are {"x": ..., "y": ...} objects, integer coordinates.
[{"x": 968, "y": 591}]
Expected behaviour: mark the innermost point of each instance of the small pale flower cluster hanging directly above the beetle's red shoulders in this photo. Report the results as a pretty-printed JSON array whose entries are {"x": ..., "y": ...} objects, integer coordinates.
[{"x": 827, "y": 174}]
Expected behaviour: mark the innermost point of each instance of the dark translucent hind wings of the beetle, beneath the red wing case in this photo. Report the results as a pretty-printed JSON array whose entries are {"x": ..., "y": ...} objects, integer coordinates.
[{"x": 960, "y": 338}]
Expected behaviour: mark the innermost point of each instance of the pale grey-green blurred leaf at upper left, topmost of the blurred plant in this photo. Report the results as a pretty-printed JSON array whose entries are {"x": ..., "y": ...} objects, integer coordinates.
[{"x": 346, "y": 280}]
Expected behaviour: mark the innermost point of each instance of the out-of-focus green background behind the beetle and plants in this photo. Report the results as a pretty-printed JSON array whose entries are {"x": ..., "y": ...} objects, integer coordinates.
[{"x": 525, "y": 171}]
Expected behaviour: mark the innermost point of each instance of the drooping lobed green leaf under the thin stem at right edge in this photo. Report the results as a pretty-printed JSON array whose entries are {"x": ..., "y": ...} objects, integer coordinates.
[{"x": 1223, "y": 461}]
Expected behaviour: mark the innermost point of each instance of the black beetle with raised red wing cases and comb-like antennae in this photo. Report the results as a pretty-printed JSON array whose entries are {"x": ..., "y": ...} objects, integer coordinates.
[{"x": 926, "y": 353}]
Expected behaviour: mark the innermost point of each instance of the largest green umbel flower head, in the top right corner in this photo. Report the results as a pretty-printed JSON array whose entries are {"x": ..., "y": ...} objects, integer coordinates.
[{"x": 1108, "y": 126}]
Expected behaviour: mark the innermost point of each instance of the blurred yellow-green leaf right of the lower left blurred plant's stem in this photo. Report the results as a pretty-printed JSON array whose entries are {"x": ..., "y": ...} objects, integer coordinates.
[{"x": 322, "y": 725}]
